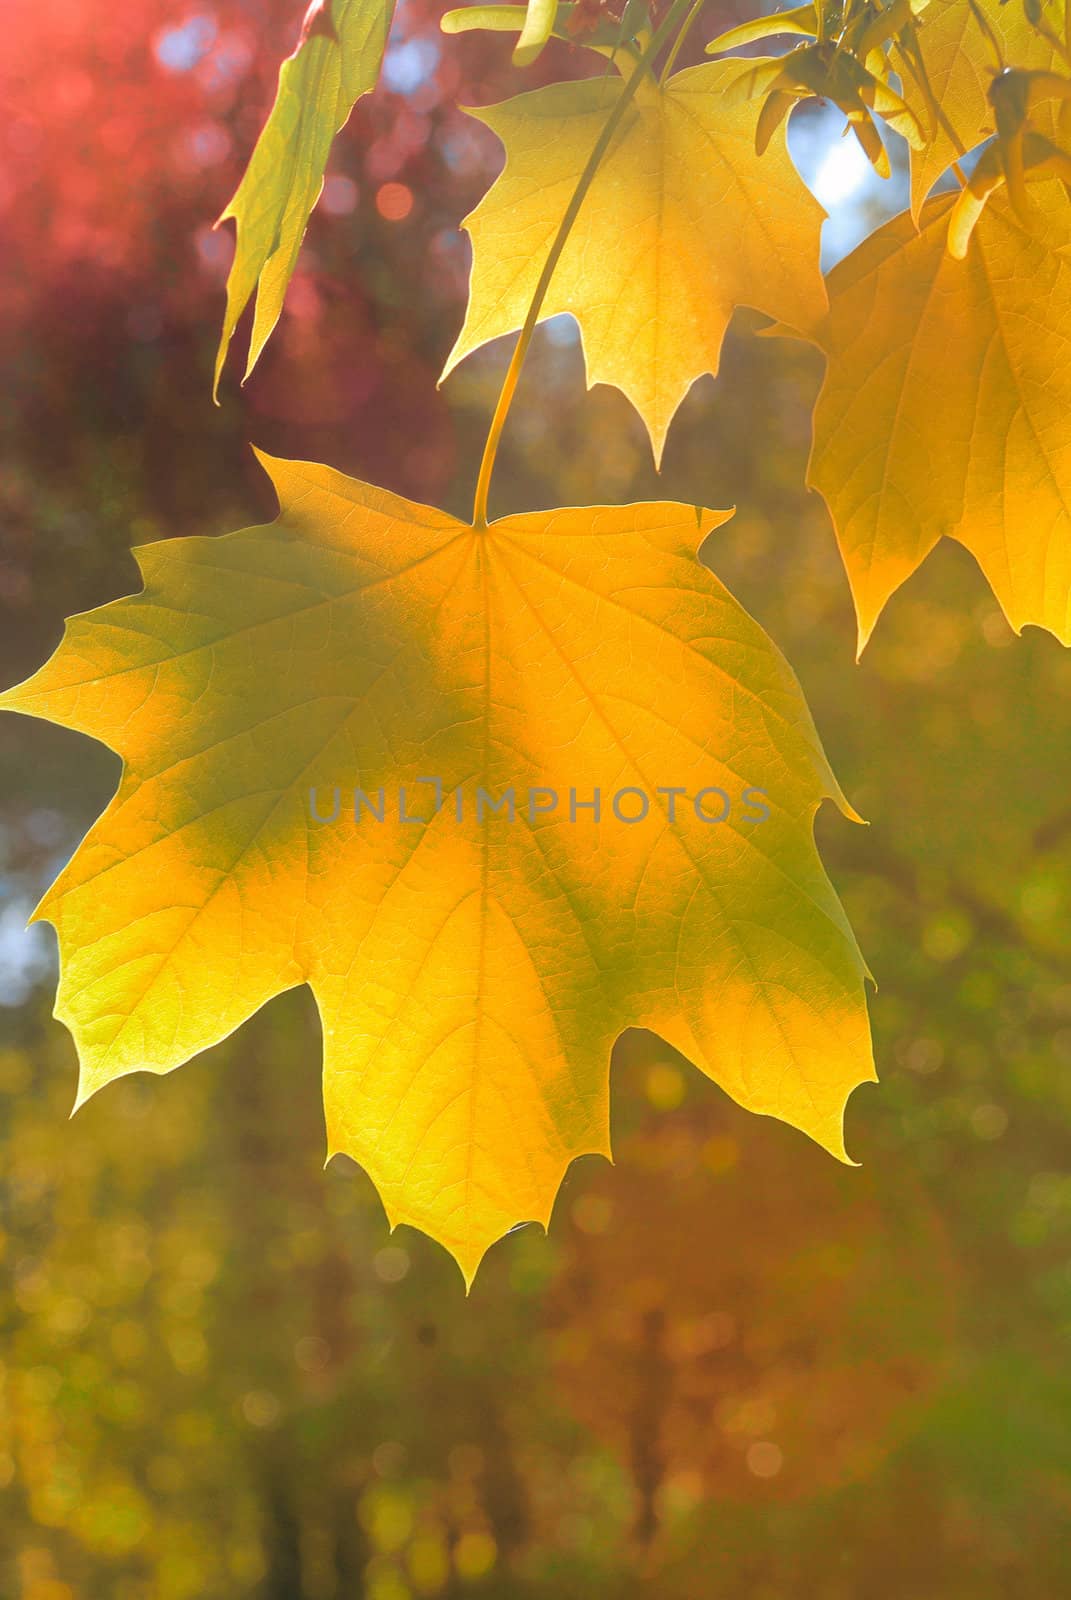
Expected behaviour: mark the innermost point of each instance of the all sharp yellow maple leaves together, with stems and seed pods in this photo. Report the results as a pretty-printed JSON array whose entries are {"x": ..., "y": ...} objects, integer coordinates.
[{"x": 473, "y": 970}]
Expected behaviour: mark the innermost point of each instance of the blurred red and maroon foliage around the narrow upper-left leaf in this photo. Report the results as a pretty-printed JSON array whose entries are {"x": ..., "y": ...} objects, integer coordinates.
[{"x": 126, "y": 130}]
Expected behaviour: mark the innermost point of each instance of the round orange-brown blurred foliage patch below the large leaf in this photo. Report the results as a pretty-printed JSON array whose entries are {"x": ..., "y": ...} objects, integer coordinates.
[{"x": 785, "y": 1356}]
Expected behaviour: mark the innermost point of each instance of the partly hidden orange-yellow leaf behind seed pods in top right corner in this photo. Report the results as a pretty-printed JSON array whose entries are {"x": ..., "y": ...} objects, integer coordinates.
[{"x": 960, "y": 65}]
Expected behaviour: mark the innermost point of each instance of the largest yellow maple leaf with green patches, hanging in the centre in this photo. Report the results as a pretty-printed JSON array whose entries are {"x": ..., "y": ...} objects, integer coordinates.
[{"x": 471, "y": 972}]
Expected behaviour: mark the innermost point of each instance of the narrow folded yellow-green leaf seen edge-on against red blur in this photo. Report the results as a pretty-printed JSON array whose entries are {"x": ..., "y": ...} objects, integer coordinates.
[{"x": 335, "y": 63}]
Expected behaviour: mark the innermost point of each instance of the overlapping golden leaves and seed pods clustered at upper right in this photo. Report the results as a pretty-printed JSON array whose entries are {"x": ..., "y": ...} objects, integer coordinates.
[{"x": 651, "y": 276}]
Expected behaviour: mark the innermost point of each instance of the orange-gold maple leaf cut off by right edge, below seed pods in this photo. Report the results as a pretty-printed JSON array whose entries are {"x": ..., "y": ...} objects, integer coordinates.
[{"x": 947, "y": 407}]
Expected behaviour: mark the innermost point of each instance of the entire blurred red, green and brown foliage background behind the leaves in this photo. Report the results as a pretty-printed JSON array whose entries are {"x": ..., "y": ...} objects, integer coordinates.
[{"x": 736, "y": 1370}]
